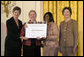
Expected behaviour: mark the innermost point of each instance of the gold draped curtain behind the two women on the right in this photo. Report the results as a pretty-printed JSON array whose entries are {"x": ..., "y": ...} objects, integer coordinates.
[{"x": 56, "y": 8}]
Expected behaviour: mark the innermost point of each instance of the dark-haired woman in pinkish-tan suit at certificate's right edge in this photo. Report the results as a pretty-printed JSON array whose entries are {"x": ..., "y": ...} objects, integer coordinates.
[{"x": 51, "y": 42}]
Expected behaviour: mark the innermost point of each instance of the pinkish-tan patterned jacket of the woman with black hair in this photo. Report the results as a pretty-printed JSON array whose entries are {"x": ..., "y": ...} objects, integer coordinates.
[{"x": 52, "y": 36}]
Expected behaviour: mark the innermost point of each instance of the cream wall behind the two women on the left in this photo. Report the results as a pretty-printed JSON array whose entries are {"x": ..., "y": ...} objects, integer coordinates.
[{"x": 25, "y": 6}]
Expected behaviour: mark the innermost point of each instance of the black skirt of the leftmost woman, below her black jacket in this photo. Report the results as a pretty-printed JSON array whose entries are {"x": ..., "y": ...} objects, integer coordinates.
[{"x": 12, "y": 47}]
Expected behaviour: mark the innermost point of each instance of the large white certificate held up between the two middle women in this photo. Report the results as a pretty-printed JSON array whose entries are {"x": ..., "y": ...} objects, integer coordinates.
[{"x": 36, "y": 30}]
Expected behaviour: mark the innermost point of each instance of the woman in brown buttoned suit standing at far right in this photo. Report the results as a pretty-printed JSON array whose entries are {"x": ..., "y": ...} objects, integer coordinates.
[{"x": 68, "y": 34}]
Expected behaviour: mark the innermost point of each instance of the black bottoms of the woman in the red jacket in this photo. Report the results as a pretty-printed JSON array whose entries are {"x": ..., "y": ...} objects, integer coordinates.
[{"x": 31, "y": 51}]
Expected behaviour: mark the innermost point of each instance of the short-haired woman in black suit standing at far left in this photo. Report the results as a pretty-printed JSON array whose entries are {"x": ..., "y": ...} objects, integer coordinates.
[{"x": 12, "y": 41}]
